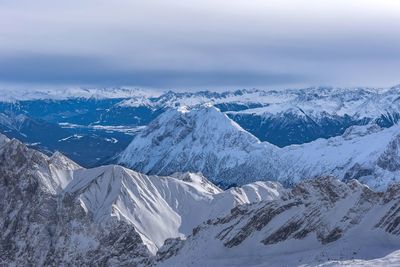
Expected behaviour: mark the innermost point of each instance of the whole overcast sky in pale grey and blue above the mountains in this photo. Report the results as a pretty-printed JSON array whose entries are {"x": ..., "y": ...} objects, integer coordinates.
[{"x": 200, "y": 44}]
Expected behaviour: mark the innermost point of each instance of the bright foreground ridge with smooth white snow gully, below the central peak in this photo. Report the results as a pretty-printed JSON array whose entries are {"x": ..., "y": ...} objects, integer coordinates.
[{"x": 157, "y": 207}]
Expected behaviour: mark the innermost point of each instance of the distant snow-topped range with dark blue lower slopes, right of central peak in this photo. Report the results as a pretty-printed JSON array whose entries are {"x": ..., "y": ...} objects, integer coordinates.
[{"x": 300, "y": 116}]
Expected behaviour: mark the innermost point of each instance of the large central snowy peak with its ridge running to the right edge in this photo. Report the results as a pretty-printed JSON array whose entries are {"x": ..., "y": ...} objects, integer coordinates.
[{"x": 206, "y": 140}]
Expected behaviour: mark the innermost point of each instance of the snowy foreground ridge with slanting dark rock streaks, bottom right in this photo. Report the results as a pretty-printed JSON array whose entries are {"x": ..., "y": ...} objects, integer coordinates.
[{"x": 322, "y": 222}]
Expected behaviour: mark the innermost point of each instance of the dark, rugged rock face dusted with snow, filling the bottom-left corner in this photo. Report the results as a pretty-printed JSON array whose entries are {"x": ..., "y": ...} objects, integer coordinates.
[{"x": 41, "y": 227}]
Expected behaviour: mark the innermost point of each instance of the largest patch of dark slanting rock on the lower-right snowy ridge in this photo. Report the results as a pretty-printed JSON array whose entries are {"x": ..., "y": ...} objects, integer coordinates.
[{"x": 312, "y": 198}]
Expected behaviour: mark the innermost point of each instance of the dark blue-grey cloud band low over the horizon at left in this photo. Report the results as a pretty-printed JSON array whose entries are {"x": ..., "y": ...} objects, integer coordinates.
[{"x": 87, "y": 70}]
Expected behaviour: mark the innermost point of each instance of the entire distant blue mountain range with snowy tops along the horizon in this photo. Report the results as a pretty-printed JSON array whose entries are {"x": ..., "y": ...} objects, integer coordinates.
[{"x": 106, "y": 120}]
